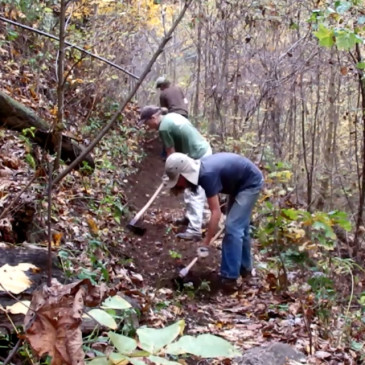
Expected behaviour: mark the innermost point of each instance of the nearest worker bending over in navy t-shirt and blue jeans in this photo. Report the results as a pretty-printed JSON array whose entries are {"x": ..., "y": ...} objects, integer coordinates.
[{"x": 226, "y": 173}]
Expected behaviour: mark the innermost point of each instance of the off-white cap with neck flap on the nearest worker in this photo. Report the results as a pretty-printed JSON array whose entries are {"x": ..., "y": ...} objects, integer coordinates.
[{"x": 179, "y": 164}]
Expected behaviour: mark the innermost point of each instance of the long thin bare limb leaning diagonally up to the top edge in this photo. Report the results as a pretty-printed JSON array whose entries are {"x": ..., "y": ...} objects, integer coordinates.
[{"x": 102, "y": 133}]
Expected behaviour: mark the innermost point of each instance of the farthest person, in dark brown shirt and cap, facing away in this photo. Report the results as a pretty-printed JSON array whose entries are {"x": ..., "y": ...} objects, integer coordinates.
[{"x": 172, "y": 97}]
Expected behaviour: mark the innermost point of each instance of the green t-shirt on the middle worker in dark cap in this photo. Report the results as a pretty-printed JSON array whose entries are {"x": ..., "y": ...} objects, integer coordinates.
[{"x": 176, "y": 131}]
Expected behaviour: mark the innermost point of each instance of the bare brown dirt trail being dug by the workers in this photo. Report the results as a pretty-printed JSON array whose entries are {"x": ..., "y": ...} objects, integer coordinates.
[{"x": 154, "y": 254}]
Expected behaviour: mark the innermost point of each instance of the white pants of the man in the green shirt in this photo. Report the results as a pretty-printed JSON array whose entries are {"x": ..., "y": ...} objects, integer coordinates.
[{"x": 195, "y": 202}]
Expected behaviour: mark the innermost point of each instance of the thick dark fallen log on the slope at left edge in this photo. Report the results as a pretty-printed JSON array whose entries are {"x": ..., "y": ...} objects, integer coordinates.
[{"x": 17, "y": 117}]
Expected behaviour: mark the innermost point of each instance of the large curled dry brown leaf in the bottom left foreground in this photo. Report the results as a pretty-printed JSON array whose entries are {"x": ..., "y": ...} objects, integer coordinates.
[{"x": 53, "y": 321}]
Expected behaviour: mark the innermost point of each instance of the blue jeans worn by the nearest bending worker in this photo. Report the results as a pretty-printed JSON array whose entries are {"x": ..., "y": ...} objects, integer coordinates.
[{"x": 236, "y": 245}]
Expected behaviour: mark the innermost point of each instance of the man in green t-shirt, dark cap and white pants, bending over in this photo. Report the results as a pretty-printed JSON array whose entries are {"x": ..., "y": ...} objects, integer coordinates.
[{"x": 179, "y": 135}]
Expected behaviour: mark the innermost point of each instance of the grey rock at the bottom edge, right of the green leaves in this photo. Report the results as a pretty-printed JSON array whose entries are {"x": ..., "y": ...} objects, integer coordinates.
[{"x": 273, "y": 354}]
